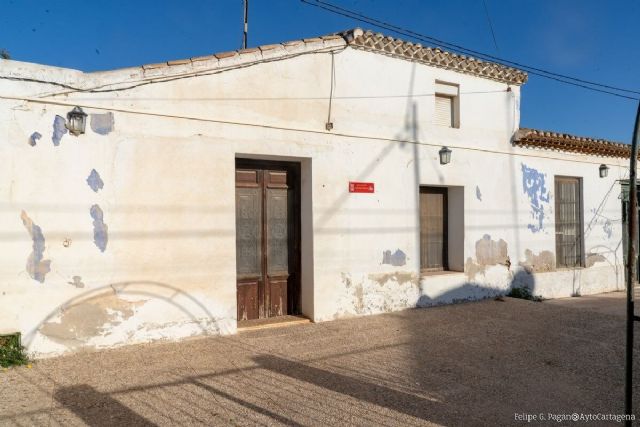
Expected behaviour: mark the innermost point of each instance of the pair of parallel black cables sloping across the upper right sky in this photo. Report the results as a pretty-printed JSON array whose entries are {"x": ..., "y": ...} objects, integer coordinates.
[{"x": 562, "y": 78}]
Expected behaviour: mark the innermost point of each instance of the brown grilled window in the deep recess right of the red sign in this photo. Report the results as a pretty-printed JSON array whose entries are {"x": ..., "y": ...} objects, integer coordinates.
[{"x": 433, "y": 229}]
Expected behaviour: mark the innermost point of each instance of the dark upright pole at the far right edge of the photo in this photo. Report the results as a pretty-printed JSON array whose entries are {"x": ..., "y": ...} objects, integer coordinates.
[{"x": 631, "y": 269}]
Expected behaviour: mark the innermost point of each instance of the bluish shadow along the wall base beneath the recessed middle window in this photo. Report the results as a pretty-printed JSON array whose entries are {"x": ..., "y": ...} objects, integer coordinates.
[{"x": 473, "y": 291}]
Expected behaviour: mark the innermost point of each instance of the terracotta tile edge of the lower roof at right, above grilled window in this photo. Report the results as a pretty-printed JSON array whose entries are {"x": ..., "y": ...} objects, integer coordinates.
[{"x": 548, "y": 140}]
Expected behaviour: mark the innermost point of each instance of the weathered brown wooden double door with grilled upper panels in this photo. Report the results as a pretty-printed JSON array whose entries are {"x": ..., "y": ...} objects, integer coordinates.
[{"x": 267, "y": 239}]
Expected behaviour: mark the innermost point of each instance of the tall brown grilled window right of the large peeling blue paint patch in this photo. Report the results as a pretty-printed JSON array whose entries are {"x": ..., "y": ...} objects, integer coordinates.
[{"x": 569, "y": 237}]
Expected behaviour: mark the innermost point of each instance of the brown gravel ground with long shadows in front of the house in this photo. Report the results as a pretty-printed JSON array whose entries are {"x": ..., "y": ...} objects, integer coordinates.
[{"x": 468, "y": 364}]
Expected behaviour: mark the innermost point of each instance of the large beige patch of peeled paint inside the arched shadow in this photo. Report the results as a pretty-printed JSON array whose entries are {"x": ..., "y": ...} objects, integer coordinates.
[{"x": 81, "y": 322}]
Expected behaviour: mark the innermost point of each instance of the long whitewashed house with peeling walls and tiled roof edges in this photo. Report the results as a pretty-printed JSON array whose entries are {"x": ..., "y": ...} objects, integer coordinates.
[{"x": 302, "y": 178}]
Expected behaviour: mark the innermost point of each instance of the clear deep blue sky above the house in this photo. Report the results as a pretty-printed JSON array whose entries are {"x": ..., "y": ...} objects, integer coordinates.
[{"x": 591, "y": 39}]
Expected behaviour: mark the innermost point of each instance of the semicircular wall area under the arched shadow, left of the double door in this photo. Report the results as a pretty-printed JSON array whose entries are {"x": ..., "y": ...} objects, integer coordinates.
[{"x": 98, "y": 312}]
